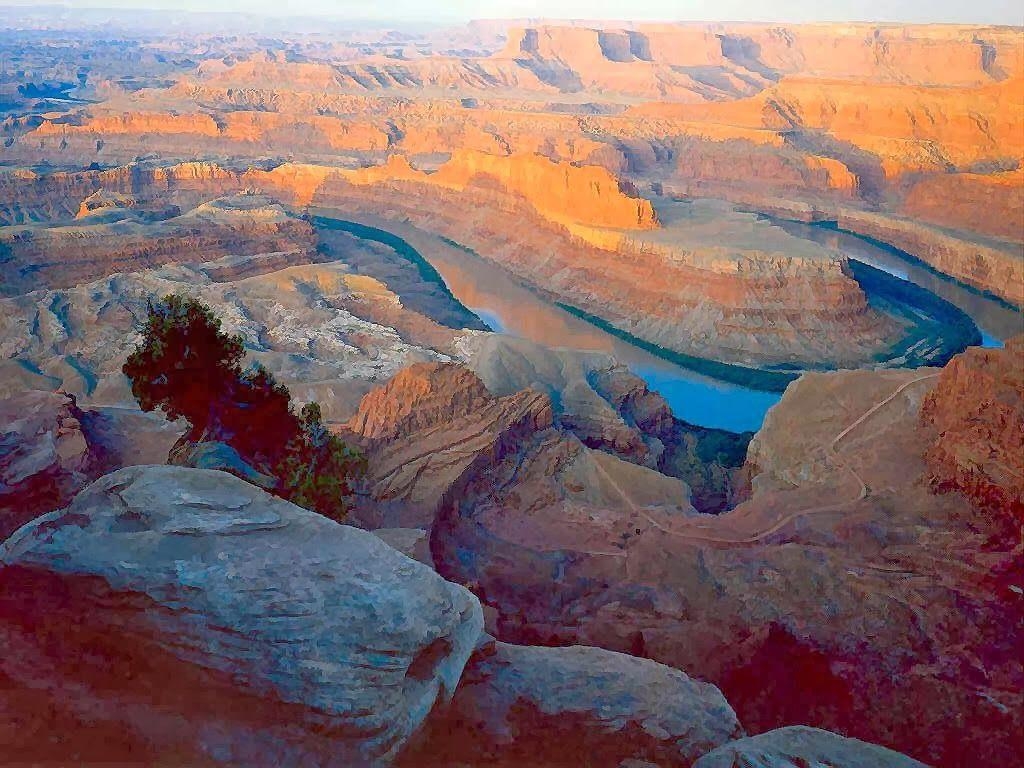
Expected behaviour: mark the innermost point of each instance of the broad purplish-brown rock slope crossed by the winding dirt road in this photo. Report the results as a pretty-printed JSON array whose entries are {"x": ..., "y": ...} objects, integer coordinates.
[{"x": 841, "y": 540}]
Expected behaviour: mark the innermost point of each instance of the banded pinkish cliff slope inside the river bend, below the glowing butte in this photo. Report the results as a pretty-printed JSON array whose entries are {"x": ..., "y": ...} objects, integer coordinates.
[{"x": 712, "y": 296}]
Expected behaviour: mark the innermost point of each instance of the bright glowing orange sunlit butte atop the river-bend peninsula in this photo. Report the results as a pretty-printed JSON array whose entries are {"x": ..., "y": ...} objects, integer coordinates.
[{"x": 561, "y": 192}]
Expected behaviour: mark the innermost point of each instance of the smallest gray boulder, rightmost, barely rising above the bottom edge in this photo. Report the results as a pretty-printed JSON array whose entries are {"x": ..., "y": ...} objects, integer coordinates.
[{"x": 801, "y": 747}]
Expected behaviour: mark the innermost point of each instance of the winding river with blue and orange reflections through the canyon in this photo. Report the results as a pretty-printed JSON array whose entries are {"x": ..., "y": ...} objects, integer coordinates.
[{"x": 508, "y": 307}]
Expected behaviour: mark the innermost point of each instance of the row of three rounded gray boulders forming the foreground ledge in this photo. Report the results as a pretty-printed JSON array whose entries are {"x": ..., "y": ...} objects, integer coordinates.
[{"x": 184, "y": 616}]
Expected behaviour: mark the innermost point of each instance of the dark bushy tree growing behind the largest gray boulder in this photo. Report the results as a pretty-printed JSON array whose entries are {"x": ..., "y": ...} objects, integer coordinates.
[{"x": 189, "y": 368}]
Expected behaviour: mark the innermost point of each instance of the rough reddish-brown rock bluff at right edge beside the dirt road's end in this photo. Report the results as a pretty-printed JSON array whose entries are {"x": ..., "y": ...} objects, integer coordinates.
[{"x": 978, "y": 409}]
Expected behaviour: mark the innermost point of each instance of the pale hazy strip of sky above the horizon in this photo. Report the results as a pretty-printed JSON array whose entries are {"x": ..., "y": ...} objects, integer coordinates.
[{"x": 979, "y": 12}]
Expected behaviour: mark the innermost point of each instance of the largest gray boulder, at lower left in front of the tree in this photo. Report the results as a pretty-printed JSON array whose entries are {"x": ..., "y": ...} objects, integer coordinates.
[{"x": 355, "y": 641}]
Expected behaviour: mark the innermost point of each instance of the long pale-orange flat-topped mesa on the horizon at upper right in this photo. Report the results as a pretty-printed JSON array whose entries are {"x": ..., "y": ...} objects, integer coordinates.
[{"x": 927, "y": 56}]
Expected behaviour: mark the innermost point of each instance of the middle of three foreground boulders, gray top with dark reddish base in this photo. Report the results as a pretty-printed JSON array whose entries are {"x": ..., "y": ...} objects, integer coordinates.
[{"x": 568, "y": 707}]
